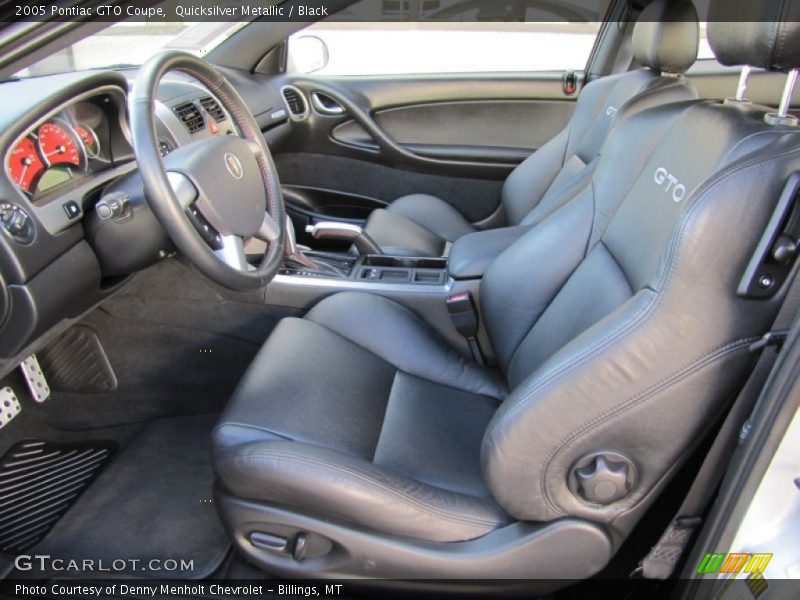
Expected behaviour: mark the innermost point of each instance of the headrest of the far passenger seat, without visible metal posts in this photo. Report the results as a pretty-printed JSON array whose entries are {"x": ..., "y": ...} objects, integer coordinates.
[{"x": 667, "y": 35}]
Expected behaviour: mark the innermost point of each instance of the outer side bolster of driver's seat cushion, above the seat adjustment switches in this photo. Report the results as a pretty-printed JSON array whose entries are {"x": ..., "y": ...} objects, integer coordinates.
[{"x": 332, "y": 484}]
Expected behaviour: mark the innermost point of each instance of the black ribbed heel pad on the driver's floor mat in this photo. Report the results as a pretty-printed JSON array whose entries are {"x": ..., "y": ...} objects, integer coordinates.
[{"x": 39, "y": 481}]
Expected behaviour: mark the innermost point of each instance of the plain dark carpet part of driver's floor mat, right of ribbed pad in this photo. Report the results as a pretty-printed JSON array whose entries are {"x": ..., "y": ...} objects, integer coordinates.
[{"x": 151, "y": 506}]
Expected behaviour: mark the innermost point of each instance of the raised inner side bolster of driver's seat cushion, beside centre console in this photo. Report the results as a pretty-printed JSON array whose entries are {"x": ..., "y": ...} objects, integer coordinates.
[{"x": 405, "y": 341}]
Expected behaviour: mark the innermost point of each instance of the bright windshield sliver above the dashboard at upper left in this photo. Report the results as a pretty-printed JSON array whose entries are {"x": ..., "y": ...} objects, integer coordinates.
[{"x": 132, "y": 43}]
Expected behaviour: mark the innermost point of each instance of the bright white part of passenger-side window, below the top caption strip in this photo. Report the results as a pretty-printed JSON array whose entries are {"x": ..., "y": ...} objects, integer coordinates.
[{"x": 418, "y": 48}]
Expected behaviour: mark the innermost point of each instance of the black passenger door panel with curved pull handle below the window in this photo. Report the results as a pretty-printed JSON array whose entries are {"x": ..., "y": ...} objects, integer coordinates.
[{"x": 457, "y": 137}]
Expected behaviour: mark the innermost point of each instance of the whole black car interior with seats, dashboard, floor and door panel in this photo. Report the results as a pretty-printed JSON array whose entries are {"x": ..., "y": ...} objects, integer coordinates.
[{"x": 430, "y": 327}]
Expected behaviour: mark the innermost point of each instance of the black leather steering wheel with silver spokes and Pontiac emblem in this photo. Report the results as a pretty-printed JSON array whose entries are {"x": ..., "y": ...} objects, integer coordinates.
[{"x": 213, "y": 194}]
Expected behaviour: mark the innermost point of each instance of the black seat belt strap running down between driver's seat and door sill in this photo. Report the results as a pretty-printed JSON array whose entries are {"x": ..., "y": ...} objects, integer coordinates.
[{"x": 664, "y": 557}]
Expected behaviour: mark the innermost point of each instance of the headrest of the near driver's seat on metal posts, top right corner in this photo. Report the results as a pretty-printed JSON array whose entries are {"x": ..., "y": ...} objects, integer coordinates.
[{"x": 758, "y": 33}]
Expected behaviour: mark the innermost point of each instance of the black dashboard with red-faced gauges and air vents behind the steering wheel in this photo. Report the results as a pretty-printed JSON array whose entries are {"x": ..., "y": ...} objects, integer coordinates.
[{"x": 65, "y": 143}]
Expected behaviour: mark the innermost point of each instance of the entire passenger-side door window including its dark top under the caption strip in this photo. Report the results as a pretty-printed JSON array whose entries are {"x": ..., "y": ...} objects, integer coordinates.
[{"x": 398, "y": 37}]
